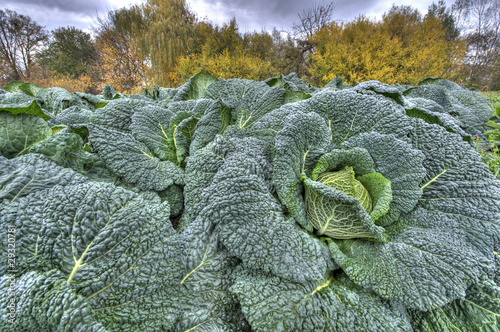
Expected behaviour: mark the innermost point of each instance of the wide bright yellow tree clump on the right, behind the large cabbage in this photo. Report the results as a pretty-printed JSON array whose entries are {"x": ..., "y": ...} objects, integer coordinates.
[{"x": 402, "y": 48}]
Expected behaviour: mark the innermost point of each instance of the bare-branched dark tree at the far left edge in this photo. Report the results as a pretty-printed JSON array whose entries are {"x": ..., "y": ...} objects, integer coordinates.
[{"x": 20, "y": 36}]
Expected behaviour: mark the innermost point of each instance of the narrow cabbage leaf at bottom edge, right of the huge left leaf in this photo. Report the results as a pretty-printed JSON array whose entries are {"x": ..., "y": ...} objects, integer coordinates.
[{"x": 207, "y": 268}]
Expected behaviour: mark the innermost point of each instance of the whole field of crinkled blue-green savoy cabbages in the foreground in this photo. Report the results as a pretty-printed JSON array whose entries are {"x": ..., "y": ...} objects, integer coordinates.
[{"x": 236, "y": 205}]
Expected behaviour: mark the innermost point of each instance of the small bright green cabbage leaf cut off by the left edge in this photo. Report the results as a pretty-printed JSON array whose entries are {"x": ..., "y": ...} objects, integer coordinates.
[{"x": 20, "y": 131}]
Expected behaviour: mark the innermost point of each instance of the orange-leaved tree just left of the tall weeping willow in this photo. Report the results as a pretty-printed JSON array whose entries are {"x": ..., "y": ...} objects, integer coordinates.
[{"x": 118, "y": 63}]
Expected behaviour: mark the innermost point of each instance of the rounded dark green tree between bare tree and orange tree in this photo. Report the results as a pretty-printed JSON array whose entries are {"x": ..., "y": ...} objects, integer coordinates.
[{"x": 70, "y": 52}]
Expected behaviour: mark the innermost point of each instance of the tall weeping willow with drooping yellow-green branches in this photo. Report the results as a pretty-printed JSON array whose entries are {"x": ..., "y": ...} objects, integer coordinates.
[{"x": 161, "y": 31}]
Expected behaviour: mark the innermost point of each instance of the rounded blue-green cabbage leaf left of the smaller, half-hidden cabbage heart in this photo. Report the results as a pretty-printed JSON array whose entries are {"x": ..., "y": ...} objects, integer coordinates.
[{"x": 129, "y": 136}]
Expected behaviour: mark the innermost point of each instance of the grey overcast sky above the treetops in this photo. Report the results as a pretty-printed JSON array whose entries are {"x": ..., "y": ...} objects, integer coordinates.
[{"x": 250, "y": 14}]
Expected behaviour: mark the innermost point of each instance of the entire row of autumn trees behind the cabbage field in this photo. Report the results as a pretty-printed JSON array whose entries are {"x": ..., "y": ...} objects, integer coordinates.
[{"x": 162, "y": 42}]
